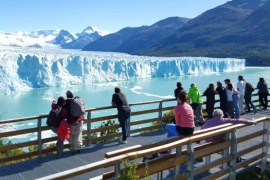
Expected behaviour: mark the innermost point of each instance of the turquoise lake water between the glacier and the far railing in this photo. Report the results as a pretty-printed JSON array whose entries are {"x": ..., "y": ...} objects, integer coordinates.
[{"x": 38, "y": 101}]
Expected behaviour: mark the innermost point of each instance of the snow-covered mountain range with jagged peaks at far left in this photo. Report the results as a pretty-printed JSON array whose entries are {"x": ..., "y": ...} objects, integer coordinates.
[{"x": 51, "y": 38}]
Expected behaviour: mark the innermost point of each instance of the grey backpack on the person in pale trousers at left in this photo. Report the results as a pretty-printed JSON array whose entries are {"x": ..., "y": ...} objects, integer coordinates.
[{"x": 77, "y": 107}]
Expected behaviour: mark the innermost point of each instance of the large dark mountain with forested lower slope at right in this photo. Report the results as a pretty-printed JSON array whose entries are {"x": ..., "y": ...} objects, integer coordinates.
[{"x": 236, "y": 29}]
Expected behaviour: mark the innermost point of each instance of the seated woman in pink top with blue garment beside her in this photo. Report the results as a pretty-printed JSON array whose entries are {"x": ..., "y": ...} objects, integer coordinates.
[{"x": 184, "y": 118}]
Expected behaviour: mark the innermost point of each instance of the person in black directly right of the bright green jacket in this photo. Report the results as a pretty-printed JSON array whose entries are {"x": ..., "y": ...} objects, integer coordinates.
[{"x": 210, "y": 99}]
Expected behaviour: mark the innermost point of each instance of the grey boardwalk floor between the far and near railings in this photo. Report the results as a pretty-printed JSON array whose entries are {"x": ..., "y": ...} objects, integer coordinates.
[{"x": 48, "y": 165}]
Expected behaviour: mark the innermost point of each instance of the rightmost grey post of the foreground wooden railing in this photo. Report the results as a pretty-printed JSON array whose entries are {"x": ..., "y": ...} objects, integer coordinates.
[{"x": 266, "y": 145}]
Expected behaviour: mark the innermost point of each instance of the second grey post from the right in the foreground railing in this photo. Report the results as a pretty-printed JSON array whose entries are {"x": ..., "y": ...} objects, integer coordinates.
[{"x": 232, "y": 175}]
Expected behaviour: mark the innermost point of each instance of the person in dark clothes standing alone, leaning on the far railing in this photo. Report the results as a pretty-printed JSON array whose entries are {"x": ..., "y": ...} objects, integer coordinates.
[{"x": 120, "y": 101}]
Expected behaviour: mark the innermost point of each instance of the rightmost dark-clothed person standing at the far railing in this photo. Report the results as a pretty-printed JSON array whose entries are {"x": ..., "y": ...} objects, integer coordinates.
[{"x": 263, "y": 93}]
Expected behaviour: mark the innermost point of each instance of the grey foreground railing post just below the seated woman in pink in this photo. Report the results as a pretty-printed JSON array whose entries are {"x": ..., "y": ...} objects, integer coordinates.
[{"x": 190, "y": 162}]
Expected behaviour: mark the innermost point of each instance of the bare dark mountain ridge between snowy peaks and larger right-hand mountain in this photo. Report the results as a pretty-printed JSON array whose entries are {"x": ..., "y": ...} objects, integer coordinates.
[{"x": 131, "y": 40}]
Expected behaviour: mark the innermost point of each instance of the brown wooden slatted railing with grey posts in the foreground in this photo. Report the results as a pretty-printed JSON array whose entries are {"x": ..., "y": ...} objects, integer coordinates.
[{"x": 186, "y": 157}]
